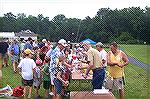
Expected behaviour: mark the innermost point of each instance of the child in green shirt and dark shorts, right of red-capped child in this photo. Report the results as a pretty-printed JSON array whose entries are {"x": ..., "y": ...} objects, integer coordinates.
[{"x": 46, "y": 77}]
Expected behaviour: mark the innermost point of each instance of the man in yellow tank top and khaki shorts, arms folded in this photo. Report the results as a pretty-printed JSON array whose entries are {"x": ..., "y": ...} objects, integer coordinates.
[{"x": 117, "y": 60}]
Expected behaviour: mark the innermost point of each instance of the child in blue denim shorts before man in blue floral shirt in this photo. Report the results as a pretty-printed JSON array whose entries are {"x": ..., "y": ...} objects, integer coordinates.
[{"x": 58, "y": 81}]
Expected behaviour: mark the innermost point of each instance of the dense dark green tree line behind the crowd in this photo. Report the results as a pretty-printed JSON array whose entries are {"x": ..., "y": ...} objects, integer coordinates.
[{"x": 129, "y": 25}]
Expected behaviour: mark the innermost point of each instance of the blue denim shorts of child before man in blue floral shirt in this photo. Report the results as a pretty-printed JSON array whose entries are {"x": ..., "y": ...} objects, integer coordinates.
[{"x": 58, "y": 86}]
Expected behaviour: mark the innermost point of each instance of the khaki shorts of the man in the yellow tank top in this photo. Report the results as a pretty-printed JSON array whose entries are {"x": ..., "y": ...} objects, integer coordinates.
[{"x": 114, "y": 83}]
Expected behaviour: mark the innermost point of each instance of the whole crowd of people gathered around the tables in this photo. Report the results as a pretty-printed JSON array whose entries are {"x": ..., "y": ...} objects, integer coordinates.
[{"x": 41, "y": 63}]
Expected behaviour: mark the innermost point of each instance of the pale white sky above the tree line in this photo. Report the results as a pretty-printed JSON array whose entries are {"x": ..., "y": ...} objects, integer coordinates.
[{"x": 70, "y": 8}]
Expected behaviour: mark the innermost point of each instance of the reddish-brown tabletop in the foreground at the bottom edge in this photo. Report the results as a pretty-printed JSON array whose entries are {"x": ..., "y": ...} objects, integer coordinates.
[{"x": 90, "y": 95}]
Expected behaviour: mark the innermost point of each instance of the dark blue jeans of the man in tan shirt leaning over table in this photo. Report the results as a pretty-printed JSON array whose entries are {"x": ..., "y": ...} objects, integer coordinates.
[{"x": 98, "y": 78}]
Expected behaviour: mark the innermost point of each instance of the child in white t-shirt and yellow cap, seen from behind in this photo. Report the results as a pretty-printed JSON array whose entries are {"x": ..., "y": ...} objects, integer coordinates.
[{"x": 26, "y": 67}]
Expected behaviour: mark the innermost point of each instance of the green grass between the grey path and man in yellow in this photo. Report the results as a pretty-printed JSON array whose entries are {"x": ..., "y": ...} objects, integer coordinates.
[{"x": 137, "y": 83}]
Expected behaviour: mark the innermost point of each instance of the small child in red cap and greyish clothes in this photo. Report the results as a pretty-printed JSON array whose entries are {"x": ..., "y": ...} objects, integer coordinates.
[{"x": 37, "y": 78}]
